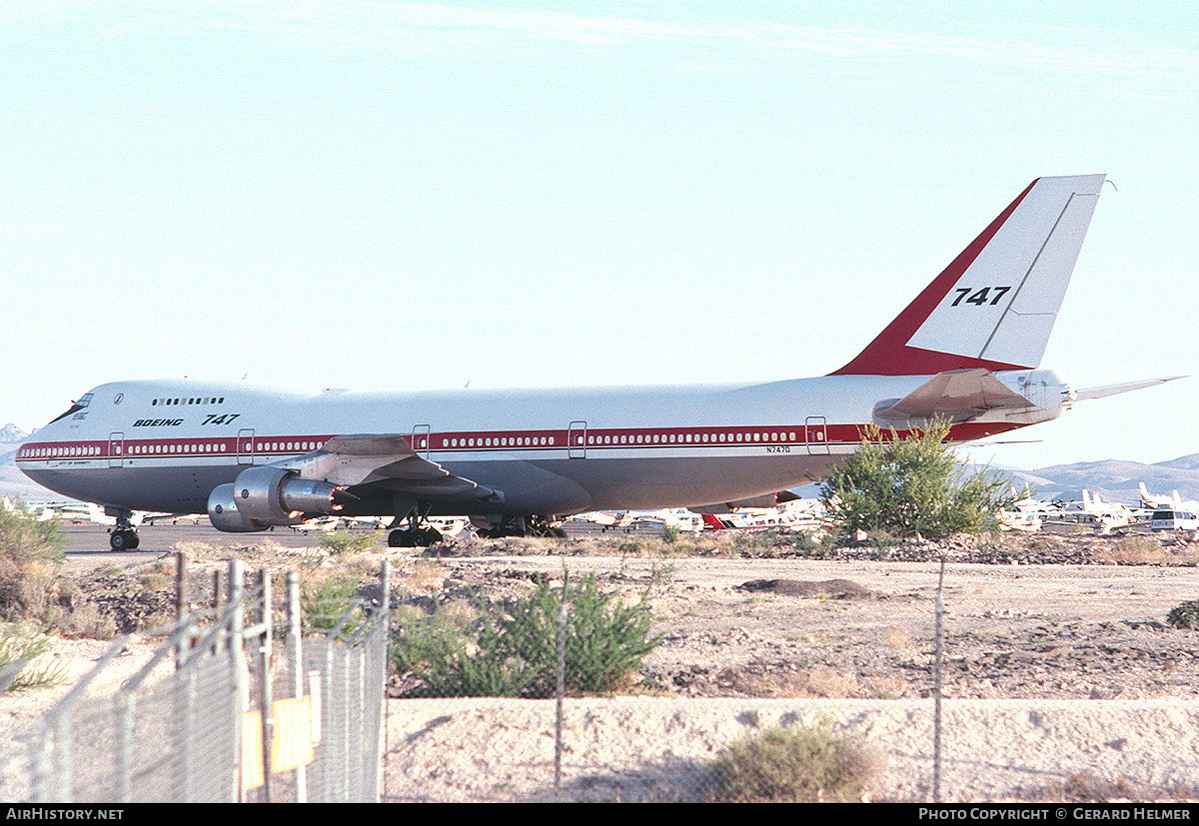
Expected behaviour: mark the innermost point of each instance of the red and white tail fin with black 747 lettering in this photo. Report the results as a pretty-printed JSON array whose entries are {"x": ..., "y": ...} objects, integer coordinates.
[{"x": 996, "y": 305}]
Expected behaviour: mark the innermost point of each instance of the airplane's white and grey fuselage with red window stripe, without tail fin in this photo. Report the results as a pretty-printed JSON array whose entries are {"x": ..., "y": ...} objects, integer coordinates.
[{"x": 165, "y": 447}]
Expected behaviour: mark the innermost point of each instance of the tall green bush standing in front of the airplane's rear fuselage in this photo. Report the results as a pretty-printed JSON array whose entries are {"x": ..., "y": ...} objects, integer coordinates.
[{"x": 912, "y": 486}]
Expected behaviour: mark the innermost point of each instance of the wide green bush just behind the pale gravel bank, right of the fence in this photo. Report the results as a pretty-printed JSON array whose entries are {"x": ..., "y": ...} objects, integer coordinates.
[{"x": 509, "y": 650}]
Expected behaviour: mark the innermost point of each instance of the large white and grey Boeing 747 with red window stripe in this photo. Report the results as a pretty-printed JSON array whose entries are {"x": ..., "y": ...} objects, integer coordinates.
[{"x": 516, "y": 462}]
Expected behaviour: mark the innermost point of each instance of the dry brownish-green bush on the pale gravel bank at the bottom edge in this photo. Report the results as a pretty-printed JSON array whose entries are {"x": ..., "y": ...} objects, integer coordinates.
[{"x": 793, "y": 765}]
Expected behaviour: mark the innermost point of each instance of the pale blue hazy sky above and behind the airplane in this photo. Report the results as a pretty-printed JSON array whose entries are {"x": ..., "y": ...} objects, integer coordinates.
[{"x": 395, "y": 195}]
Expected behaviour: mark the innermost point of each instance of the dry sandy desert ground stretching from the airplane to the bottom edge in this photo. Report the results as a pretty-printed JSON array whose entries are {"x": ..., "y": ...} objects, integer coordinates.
[{"x": 1058, "y": 661}]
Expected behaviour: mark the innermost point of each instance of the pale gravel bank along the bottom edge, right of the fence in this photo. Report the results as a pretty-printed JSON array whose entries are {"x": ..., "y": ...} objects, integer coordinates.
[{"x": 640, "y": 750}]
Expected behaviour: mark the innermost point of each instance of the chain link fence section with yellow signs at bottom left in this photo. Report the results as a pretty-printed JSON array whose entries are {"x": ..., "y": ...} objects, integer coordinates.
[{"x": 232, "y": 691}]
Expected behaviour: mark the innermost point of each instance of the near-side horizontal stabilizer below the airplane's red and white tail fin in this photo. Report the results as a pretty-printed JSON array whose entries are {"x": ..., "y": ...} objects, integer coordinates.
[{"x": 955, "y": 396}]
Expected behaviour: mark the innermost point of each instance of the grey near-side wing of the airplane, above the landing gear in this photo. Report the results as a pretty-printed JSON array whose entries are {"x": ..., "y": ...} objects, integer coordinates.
[{"x": 387, "y": 461}]
